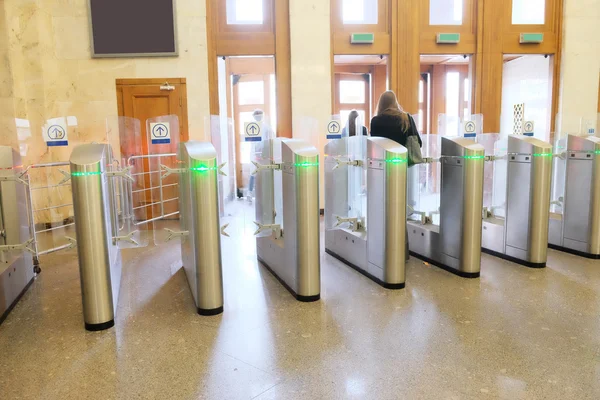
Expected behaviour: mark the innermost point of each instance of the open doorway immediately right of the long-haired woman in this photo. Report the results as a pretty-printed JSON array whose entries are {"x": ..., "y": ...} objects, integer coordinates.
[{"x": 445, "y": 93}]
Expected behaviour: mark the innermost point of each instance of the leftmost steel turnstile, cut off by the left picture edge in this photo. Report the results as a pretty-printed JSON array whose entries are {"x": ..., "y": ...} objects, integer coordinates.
[{"x": 16, "y": 266}]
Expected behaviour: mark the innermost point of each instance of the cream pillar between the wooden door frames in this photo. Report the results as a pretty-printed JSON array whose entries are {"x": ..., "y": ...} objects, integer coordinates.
[{"x": 310, "y": 43}]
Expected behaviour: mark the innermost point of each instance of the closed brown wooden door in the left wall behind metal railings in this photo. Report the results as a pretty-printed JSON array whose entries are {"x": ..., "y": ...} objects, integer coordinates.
[{"x": 143, "y": 99}]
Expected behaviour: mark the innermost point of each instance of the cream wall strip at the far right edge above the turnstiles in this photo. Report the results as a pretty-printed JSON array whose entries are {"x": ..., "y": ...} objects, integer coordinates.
[{"x": 580, "y": 69}]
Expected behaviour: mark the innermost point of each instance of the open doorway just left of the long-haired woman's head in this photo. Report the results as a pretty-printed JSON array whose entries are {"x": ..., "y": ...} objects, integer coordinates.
[{"x": 359, "y": 81}]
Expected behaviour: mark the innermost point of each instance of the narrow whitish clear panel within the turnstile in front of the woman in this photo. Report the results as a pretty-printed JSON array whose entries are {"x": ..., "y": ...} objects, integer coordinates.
[{"x": 357, "y": 179}]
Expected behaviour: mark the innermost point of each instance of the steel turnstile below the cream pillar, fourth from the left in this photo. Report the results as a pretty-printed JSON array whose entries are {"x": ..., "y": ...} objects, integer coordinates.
[{"x": 292, "y": 251}]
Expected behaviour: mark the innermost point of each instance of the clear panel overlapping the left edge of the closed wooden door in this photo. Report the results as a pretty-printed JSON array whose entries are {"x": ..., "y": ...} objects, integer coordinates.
[{"x": 123, "y": 135}]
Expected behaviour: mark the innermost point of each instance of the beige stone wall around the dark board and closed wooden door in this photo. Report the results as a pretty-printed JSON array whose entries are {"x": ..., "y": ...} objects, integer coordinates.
[{"x": 50, "y": 73}]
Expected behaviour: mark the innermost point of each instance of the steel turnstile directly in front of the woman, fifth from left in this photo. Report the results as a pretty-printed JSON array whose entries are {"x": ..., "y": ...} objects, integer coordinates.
[{"x": 376, "y": 248}]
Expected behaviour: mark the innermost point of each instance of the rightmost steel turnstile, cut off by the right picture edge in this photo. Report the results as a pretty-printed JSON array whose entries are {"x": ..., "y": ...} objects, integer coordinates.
[{"x": 577, "y": 229}]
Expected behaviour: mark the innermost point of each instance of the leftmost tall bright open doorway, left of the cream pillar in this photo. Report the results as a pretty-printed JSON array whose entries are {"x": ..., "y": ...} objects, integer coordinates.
[{"x": 247, "y": 85}]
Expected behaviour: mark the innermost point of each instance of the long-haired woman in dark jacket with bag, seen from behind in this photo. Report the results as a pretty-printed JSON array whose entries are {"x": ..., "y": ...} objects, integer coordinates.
[{"x": 393, "y": 123}]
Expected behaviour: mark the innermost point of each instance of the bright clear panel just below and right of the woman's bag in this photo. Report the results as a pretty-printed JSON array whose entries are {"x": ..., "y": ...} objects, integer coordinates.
[{"x": 424, "y": 182}]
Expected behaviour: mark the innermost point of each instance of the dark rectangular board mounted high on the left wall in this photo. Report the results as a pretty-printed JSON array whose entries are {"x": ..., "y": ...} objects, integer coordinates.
[{"x": 133, "y": 28}]
